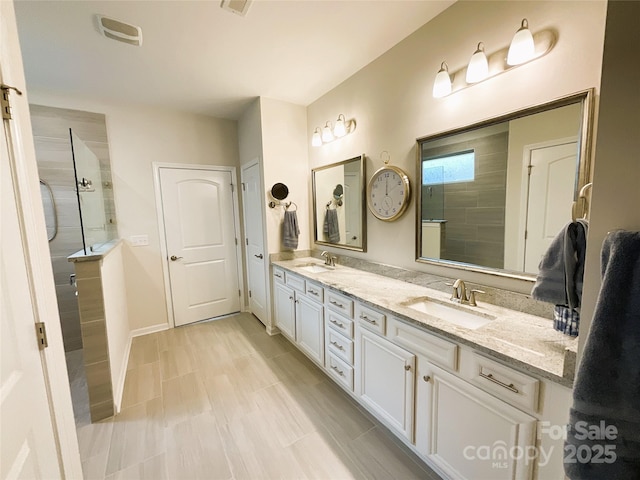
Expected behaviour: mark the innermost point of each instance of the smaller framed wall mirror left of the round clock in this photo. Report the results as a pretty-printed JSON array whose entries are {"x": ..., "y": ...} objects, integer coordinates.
[{"x": 338, "y": 204}]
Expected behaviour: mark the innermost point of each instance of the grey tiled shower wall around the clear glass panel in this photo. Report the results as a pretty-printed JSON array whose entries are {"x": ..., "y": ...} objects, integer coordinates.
[{"x": 55, "y": 166}]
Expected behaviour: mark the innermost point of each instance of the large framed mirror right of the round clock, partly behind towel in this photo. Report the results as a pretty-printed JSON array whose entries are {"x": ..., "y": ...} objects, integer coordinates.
[{"x": 493, "y": 195}]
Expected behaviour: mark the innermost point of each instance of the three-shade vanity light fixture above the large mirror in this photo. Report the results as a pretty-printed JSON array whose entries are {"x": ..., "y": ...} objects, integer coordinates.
[{"x": 525, "y": 46}]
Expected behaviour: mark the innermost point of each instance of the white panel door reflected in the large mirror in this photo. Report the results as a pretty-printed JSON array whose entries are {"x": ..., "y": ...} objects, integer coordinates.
[{"x": 552, "y": 180}]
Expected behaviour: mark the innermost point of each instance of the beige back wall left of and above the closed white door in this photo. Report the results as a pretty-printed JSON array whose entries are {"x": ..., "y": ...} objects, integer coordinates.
[{"x": 139, "y": 136}]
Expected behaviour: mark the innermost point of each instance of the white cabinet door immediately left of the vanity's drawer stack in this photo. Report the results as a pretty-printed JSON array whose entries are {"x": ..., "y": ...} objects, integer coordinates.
[{"x": 310, "y": 328}]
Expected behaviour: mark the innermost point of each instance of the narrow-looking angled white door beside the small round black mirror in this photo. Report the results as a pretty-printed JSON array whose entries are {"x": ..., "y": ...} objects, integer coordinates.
[{"x": 257, "y": 263}]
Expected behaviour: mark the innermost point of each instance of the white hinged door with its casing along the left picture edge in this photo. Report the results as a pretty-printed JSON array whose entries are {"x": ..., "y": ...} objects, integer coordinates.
[{"x": 37, "y": 428}]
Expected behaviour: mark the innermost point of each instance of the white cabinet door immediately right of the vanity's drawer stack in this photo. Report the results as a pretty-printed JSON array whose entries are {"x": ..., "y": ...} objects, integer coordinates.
[{"x": 385, "y": 381}]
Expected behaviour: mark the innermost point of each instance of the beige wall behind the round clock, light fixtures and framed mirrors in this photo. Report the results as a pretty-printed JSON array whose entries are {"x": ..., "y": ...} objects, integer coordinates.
[{"x": 392, "y": 102}]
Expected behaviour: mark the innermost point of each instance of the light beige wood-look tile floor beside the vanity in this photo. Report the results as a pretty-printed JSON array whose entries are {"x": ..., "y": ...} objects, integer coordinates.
[{"x": 224, "y": 400}]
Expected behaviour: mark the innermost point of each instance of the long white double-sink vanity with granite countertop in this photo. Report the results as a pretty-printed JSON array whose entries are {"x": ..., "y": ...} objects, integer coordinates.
[{"x": 473, "y": 390}]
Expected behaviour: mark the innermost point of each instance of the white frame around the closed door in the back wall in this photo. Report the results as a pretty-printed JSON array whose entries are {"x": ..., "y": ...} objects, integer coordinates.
[{"x": 157, "y": 166}]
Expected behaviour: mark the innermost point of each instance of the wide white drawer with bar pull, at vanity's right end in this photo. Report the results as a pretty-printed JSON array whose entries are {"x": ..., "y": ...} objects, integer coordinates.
[{"x": 509, "y": 385}]
